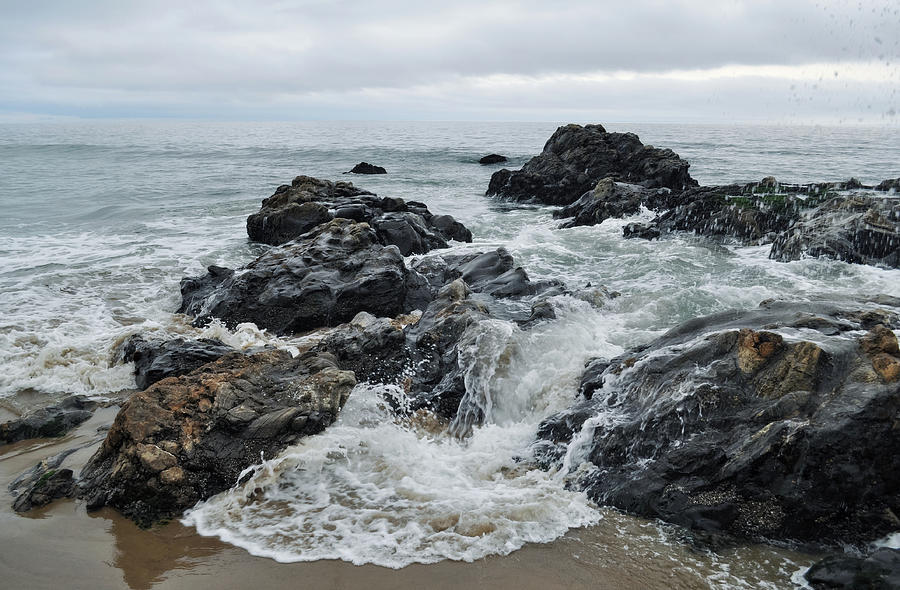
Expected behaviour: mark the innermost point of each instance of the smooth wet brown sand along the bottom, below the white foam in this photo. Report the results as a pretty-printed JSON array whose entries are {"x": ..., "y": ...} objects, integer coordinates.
[{"x": 62, "y": 546}]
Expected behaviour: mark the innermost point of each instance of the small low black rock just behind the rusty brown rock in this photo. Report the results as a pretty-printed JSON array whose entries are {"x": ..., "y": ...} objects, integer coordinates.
[{"x": 155, "y": 360}]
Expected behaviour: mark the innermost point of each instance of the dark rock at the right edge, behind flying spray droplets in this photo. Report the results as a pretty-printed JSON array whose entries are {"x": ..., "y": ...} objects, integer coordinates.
[{"x": 853, "y": 228}]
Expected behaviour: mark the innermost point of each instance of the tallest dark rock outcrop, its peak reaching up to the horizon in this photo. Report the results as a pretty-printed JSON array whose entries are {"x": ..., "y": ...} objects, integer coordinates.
[{"x": 575, "y": 158}]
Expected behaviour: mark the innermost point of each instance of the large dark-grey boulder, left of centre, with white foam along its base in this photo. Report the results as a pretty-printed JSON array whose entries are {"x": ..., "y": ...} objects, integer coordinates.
[{"x": 324, "y": 279}]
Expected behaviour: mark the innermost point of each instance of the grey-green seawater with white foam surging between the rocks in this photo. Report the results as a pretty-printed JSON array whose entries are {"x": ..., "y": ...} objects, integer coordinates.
[{"x": 102, "y": 219}]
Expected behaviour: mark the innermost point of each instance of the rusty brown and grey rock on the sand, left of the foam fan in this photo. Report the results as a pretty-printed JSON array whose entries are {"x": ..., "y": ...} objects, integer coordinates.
[{"x": 187, "y": 438}]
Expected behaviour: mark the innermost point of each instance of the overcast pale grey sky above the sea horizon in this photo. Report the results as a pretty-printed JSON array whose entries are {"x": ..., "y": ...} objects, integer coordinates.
[{"x": 638, "y": 60}]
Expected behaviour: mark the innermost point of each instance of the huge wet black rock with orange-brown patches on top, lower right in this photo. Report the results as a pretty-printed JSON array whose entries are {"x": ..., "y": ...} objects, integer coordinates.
[{"x": 735, "y": 424}]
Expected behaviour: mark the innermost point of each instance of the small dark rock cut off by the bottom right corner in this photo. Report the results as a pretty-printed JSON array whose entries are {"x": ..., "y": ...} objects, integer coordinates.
[{"x": 879, "y": 571}]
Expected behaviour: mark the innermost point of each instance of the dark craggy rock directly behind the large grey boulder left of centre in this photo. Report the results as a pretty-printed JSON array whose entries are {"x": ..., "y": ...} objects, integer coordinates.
[{"x": 307, "y": 202}]
